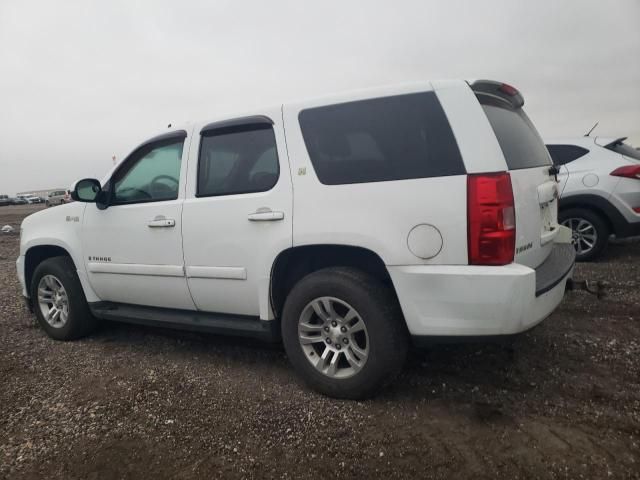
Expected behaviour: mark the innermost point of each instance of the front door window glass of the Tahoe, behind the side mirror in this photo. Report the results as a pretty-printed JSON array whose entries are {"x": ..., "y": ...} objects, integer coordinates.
[{"x": 151, "y": 174}]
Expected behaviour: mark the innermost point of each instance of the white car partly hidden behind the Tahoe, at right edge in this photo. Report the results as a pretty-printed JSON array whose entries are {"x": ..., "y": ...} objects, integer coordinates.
[{"x": 600, "y": 190}]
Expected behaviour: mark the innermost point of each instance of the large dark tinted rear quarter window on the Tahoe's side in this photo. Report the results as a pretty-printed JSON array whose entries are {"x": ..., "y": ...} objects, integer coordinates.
[{"x": 391, "y": 138}]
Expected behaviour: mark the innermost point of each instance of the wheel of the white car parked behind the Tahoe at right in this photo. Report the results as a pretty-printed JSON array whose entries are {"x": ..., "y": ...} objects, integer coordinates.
[{"x": 590, "y": 232}]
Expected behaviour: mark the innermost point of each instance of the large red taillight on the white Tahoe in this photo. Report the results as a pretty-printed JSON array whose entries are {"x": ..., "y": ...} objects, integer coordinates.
[{"x": 491, "y": 219}]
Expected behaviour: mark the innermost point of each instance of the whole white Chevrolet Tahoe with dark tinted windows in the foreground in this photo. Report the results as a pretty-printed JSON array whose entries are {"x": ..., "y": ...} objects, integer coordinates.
[{"x": 346, "y": 227}]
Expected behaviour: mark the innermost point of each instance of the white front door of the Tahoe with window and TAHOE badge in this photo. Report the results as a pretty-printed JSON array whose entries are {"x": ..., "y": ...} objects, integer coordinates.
[{"x": 133, "y": 248}]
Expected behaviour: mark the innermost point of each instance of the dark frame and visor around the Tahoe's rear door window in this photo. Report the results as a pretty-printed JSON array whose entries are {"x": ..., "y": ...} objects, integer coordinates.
[{"x": 244, "y": 124}]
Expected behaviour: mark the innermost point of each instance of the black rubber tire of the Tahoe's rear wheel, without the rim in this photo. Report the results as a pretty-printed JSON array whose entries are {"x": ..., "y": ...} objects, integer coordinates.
[{"x": 376, "y": 306}]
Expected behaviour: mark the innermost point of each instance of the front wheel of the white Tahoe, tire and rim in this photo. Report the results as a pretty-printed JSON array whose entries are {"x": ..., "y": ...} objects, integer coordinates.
[{"x": 58, "y": 300}]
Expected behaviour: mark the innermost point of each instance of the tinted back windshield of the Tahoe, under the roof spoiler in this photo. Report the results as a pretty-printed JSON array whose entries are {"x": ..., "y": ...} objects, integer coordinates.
[{"x": 520, "y": 143}]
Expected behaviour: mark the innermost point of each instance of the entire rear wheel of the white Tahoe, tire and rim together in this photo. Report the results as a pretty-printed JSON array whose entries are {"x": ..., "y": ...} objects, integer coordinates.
[{"x": 344, "y": 333}]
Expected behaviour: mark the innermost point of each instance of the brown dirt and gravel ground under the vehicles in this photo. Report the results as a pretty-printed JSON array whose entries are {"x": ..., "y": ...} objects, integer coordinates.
[{"x": 562, "y": 401}]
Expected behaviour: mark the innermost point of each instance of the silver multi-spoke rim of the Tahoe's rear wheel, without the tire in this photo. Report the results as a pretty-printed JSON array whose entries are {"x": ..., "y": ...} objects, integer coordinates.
[{"x": 333, "y": 337}]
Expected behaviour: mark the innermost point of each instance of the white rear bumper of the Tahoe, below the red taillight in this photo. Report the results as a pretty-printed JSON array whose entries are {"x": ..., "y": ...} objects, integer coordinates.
[{"x": 481, "y": 301}]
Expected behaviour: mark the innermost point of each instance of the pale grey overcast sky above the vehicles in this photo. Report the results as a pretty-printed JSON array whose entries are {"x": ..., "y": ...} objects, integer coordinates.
[{"x": 82, "y": 81}]
